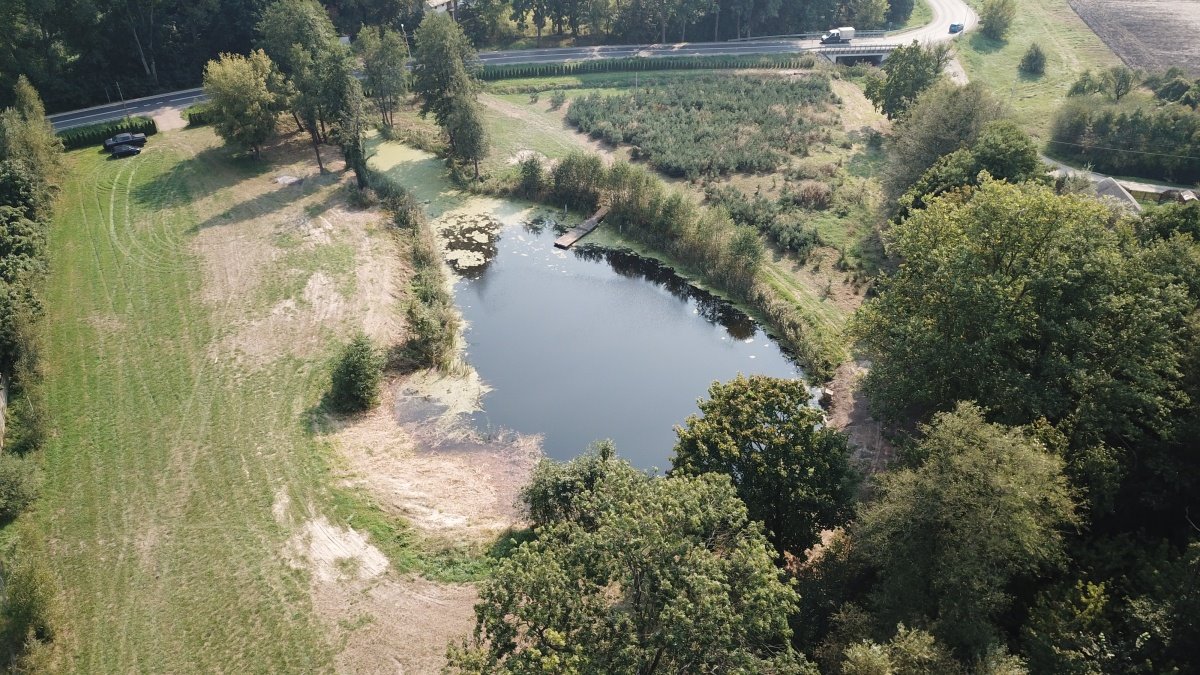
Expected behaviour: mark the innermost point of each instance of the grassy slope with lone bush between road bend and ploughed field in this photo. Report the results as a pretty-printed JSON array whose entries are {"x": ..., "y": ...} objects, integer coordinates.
[{"x": 1071, "y": 49}]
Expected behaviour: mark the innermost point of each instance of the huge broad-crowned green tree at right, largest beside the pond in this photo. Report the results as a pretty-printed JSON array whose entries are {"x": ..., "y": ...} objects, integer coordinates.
[{"x": 1034, "y": 296}]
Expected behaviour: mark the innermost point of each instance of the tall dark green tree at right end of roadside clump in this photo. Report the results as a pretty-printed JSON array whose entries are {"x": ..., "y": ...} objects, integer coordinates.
[{"x": 441, "y": 58}]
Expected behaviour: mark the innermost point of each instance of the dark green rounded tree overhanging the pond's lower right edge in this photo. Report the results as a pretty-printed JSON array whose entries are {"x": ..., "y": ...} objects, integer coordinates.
[{"x": 794, "y": 474}]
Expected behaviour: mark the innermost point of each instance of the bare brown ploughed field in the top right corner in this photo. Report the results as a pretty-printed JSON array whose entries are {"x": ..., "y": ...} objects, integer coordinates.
[{"x": 1150, "y": 35}]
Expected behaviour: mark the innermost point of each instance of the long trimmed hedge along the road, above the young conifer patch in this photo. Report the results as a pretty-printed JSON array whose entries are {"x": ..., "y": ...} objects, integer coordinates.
[{"x": 632, "y": 64}]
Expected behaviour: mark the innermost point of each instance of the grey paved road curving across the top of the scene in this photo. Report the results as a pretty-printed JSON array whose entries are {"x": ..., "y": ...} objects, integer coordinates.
[{"x": 938, "y": 31}]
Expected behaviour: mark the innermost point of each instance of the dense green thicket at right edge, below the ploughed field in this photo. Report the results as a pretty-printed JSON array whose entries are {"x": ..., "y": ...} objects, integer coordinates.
[{"x": 1159, "y": 142}]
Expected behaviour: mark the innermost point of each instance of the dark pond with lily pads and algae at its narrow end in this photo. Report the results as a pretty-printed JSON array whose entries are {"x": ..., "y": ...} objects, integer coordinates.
[{"x": 586, "y": 344}]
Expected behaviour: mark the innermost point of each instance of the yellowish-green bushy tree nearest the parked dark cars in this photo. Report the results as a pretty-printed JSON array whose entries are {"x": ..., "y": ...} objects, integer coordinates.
[{"x": 242, "y": 99}]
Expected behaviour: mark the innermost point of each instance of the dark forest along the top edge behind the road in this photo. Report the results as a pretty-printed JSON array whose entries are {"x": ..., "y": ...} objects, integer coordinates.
[{"x": 80, "y": 55}]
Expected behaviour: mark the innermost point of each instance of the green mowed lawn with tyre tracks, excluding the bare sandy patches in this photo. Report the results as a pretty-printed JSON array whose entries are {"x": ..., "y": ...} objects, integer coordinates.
[{"x": 167, "y": 458}]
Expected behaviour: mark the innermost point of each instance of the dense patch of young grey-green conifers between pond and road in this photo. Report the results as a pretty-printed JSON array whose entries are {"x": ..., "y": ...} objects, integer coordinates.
[{"x": 710, "y": 126}]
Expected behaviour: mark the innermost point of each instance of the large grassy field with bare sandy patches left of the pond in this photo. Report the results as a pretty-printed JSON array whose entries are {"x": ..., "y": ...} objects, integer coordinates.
[{"x": 196, "y": 500}]
